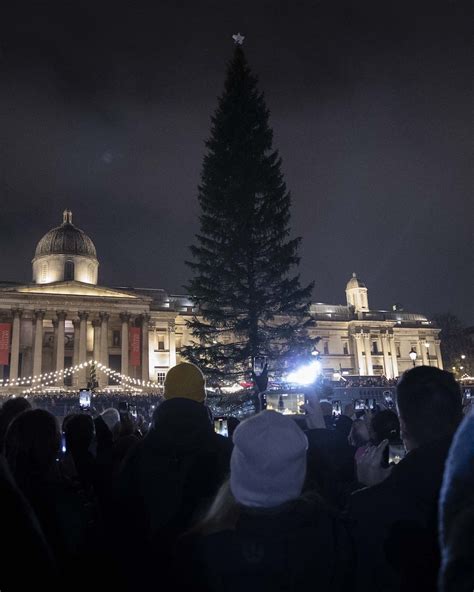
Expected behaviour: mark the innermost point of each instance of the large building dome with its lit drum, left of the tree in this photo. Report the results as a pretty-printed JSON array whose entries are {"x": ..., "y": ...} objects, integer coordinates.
[{"x": 65, "y": 254}]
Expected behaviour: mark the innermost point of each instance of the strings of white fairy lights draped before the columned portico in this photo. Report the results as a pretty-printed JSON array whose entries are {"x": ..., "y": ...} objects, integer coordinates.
[{"x": 49, "y": 380}]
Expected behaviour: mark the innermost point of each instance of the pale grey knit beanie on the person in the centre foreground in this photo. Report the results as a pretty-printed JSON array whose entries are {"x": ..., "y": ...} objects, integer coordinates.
[{"x": 268, "y": 463}]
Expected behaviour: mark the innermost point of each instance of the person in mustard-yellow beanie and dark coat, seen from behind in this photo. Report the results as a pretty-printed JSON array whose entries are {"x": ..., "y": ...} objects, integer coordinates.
[{"x": 169, "y": 477}]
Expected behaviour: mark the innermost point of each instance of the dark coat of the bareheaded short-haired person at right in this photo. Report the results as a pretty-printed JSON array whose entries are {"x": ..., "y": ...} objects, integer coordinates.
[{"x": 394, "y": 524}]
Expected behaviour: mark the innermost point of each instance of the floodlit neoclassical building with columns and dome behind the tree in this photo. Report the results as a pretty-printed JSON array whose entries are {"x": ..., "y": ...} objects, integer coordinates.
[{"x": 64, "y": 317}]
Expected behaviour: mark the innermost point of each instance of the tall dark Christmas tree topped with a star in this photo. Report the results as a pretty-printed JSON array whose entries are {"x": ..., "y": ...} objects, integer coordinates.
[{"x": 249, "y": 299}]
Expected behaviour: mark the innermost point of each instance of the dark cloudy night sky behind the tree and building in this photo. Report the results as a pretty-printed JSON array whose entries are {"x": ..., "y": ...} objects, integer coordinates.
[{"x": 104, "y": 108}]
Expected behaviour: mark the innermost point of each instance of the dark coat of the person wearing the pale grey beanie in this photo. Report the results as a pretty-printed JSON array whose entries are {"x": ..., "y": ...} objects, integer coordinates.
[{"x": 296, "y": 547}]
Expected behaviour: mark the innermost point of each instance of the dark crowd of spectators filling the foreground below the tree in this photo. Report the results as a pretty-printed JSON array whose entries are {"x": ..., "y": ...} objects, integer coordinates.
[{"x": 376, "y": 503}]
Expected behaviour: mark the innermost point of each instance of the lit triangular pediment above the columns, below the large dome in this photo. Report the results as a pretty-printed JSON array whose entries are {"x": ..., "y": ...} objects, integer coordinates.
[{"x": 73, "y": 288}]
